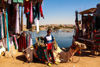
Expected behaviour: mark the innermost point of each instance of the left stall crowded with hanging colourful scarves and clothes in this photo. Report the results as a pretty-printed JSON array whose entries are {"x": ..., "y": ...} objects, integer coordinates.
[{"x": 11, "y": 23}]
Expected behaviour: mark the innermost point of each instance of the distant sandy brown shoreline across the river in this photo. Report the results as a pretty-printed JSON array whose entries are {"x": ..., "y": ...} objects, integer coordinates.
[{"x": 52, "y": 26}]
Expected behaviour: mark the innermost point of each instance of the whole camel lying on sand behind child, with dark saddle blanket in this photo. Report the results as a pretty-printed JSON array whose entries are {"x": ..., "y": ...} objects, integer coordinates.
[{"x": 60, "y": 56}]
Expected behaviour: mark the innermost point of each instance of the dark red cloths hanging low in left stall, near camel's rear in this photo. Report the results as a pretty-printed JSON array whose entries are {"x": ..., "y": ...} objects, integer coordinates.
[{"x": 22, "y": 43}]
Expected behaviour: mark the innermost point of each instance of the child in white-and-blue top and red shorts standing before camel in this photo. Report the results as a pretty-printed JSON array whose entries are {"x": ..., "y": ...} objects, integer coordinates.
[{"x": 49, "y": 42}]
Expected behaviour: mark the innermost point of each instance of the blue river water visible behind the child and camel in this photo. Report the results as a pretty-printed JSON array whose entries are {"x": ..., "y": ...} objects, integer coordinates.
[{"x": 63, "y": 38}]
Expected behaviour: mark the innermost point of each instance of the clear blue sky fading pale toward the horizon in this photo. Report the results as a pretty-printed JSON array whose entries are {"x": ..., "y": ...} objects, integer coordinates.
[{"x": 63, "y": 11}]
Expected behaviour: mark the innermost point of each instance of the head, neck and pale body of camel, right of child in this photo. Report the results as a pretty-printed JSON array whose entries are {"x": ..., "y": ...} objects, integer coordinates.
[{"x": 62, "y": 56}]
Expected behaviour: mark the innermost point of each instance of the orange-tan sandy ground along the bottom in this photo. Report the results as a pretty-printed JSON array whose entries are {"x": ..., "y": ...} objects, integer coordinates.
[{"x": 18, "y": 61}]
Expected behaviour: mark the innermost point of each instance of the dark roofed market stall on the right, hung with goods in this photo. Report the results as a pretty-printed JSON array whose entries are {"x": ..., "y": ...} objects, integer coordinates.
[{"x": 87, "y": 29}]
